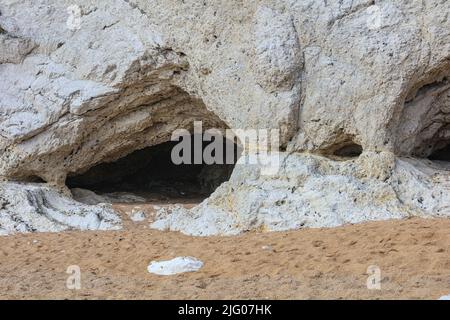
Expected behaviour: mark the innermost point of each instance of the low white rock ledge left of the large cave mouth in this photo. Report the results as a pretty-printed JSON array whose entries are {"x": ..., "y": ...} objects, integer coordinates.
[{"x": 35, "y": 208}]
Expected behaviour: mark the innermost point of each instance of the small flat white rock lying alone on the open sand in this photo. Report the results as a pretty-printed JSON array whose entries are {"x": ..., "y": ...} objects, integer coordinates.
[{"x": 175, "y": 266}]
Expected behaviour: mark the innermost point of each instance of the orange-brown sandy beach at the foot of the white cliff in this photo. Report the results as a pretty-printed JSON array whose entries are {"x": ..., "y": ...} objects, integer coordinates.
[{"x": 413, "y": 257}]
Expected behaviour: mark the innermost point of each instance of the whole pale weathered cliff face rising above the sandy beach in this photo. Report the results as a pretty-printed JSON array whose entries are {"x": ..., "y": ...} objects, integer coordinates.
[{"x": 360, "y": 93}]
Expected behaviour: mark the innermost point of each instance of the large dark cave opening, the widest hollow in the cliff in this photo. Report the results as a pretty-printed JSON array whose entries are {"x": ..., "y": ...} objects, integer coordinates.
[{"x": 150, "y": 175}]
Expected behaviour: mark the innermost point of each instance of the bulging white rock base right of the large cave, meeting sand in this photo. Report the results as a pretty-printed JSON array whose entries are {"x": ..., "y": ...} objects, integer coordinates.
[{"x": 311, "y": 191}]
